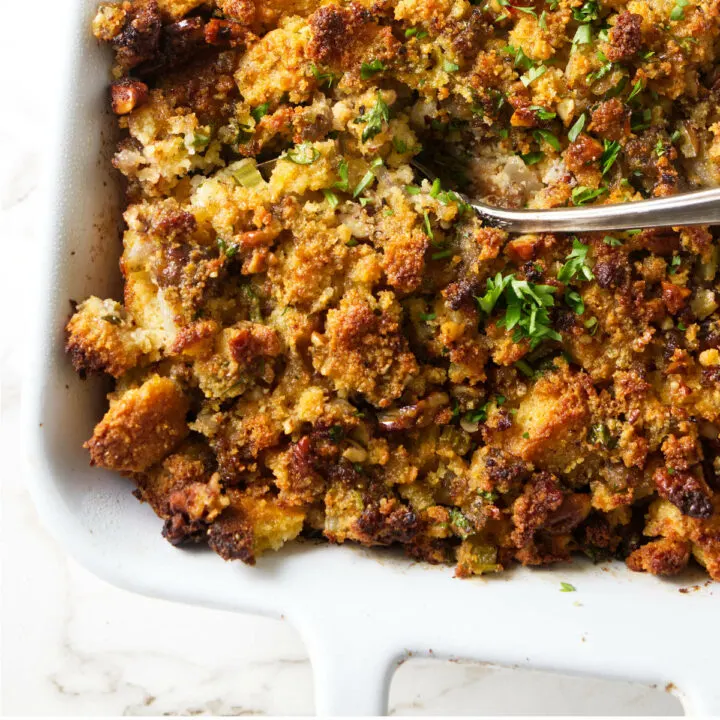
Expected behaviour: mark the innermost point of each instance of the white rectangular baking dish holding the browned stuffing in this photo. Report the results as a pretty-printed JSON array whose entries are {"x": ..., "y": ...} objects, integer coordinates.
[{"x": 359, "y": 612}]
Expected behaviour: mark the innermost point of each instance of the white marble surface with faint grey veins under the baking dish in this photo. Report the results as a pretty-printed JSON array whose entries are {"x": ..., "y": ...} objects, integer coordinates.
[{"x": 73, "y": 645}]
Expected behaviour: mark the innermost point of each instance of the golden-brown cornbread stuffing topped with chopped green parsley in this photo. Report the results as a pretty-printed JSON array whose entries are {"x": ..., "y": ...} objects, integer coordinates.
[{"x": 332, "y": 346}]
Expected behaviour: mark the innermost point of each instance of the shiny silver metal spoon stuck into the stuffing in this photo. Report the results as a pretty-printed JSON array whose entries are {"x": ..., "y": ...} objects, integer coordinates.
[{"x": 693, "y": 208}]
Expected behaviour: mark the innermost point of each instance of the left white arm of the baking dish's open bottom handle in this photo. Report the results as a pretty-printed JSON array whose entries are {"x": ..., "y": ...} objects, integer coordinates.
[{"x": 352, "y": 674}]
